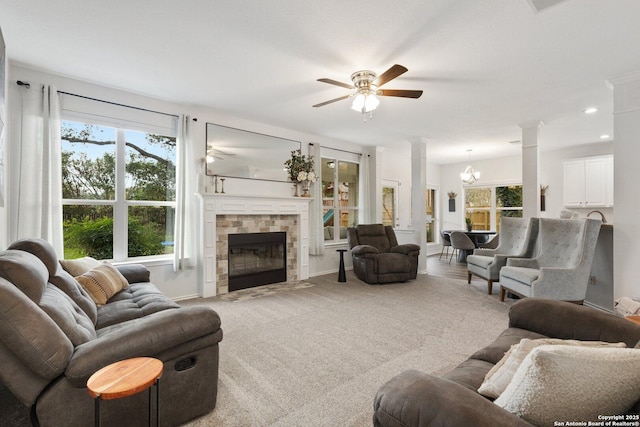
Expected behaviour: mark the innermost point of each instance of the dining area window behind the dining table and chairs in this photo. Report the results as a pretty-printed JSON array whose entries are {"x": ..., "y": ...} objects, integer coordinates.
[{"x": 486, "y": 205}]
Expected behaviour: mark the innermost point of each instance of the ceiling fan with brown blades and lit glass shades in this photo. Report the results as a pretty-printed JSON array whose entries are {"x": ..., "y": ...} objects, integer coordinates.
[{"x": 366, "y": 88}]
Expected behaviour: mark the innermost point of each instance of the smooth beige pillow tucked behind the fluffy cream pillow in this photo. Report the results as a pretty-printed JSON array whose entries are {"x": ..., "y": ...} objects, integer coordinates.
[{"x": 499, "y": 377}]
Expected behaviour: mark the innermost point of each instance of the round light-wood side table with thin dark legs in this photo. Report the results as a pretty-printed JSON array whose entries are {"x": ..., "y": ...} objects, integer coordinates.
[{"x": 126, "y": 378}]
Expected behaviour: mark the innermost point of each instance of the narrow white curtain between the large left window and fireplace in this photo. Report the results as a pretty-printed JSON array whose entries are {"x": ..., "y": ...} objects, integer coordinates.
[{"x": 183, "y": 143}]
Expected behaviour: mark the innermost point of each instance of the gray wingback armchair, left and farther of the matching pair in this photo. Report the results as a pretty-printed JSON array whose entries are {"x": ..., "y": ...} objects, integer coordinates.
[{"x": 517, "y": 240}]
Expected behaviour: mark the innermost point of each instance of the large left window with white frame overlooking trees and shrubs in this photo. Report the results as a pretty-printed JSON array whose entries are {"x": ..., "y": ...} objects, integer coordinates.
[{"x": 118, "y": 191}]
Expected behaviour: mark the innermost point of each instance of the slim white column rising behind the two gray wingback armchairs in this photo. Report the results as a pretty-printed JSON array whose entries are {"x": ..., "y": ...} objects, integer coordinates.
[{"x": 530, "y": 169}]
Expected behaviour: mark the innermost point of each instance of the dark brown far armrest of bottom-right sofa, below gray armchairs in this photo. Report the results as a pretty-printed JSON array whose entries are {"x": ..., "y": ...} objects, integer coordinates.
[{"x": 559, "y": 319}]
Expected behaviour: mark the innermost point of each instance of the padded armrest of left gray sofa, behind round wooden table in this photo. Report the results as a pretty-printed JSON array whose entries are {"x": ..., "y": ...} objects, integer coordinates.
[{"x": 147, "y": 336}]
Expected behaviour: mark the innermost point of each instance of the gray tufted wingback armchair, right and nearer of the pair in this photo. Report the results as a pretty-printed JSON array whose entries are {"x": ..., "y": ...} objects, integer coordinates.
[{"x": 562, "y": 266}]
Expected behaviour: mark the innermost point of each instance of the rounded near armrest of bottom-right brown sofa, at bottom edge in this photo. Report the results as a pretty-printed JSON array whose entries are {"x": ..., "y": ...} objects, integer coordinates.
[{"x": 415, "y": 398}]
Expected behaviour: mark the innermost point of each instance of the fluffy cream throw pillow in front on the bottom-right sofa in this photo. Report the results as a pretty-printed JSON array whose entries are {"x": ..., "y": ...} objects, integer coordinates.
[{"x": 559, "y": 383}]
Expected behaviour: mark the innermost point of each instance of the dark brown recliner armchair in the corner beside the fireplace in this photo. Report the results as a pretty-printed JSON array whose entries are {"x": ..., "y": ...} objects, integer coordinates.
[{"x": 377, "y": 257}]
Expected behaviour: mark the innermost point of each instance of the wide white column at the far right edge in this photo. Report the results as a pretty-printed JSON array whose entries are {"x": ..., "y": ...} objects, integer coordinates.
[{"x": 626, "y": 234}]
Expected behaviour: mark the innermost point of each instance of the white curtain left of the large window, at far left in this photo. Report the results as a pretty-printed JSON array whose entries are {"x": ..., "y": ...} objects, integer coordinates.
[{"x": 38, "y": 172}]
